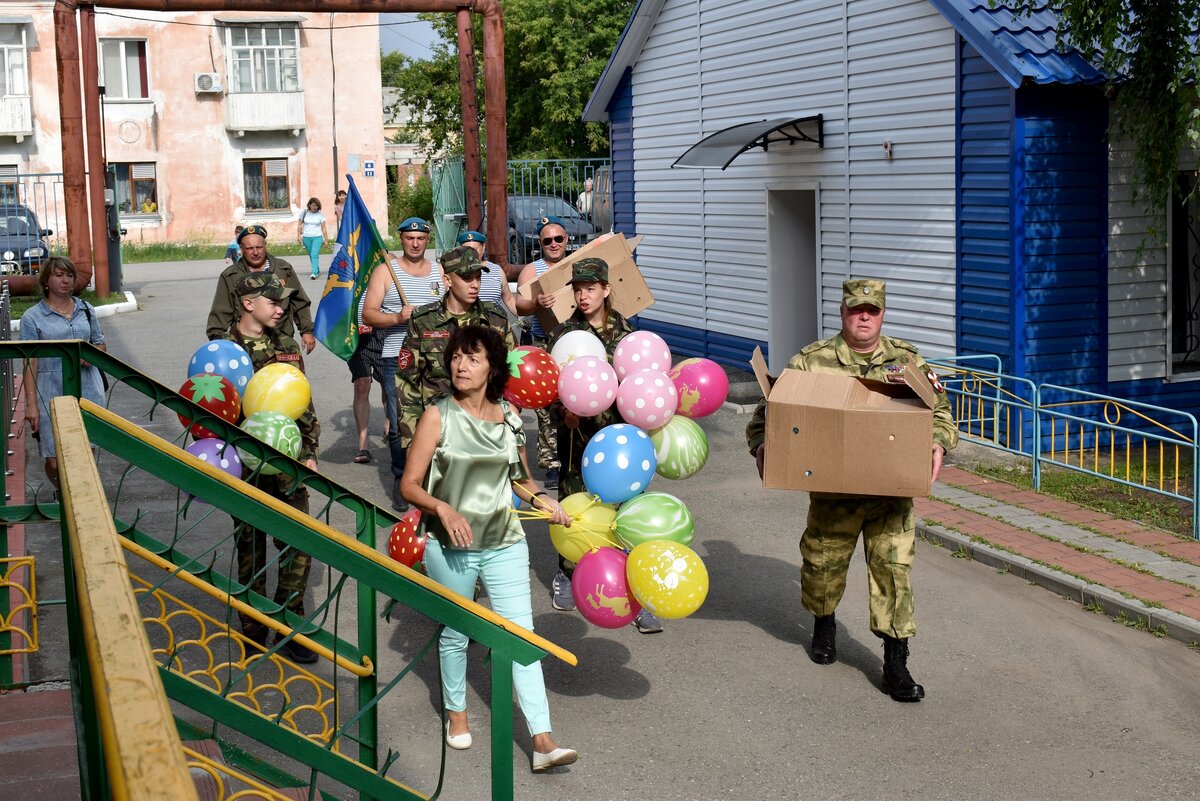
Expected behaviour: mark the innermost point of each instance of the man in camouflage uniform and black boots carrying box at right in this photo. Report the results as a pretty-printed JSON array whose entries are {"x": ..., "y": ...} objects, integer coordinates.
[{"x": 886, "y": 523}]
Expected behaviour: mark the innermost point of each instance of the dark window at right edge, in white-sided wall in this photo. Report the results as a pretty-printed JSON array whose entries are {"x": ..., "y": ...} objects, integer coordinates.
[{"x": 1185, "y": 252}]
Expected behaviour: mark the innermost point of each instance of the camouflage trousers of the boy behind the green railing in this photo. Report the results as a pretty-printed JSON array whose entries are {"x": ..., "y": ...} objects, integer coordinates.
[{"x": 293, "y": 565}]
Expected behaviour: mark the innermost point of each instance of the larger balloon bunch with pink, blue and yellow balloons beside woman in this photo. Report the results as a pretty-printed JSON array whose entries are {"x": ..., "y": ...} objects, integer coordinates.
[{"x": 632, "y": 547}]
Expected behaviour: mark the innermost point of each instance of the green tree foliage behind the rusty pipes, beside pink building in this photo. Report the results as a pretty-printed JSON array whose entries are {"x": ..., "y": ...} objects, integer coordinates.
[{"x": 554, "y": 55}]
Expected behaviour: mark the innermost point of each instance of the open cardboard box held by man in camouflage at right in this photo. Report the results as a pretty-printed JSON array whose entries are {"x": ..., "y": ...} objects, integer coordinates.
[{"x": 843, "y": 435}]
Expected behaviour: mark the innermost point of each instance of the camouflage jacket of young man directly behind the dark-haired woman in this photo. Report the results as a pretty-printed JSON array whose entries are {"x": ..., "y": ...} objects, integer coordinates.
[{"x": 421, "y": 375}]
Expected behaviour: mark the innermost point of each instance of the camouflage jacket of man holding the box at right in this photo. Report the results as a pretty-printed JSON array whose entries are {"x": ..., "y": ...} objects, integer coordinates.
[{"x": 835, "y": 357}]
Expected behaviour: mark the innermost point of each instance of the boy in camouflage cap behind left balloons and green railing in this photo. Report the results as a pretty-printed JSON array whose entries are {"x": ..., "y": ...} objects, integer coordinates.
[{"x": 259, "y": 314}]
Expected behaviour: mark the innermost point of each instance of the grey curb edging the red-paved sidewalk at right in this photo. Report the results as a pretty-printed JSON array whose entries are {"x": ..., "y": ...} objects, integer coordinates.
[{"x": 1178, "y": 627}]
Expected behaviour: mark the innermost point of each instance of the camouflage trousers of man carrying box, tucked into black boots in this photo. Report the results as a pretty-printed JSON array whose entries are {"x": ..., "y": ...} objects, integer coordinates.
[{"x": 889, "y": 531}]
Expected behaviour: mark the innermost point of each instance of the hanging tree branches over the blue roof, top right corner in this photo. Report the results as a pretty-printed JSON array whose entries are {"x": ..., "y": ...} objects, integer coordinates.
[{"x": 1149, "y": 50}]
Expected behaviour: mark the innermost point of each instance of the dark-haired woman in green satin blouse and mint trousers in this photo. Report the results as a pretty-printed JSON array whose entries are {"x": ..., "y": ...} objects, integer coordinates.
[{"x": 466, "y": 461}]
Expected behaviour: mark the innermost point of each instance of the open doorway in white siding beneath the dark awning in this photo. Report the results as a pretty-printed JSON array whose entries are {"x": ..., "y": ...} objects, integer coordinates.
[{"x": 793, "y": 288}]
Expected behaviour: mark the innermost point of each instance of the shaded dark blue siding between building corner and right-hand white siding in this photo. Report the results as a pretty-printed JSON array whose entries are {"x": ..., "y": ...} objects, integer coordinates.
[{"x": 1061, "y": 165}]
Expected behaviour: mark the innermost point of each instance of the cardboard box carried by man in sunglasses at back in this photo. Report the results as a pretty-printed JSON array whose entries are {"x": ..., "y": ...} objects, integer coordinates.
[{"x": 631, "y": 296}]
